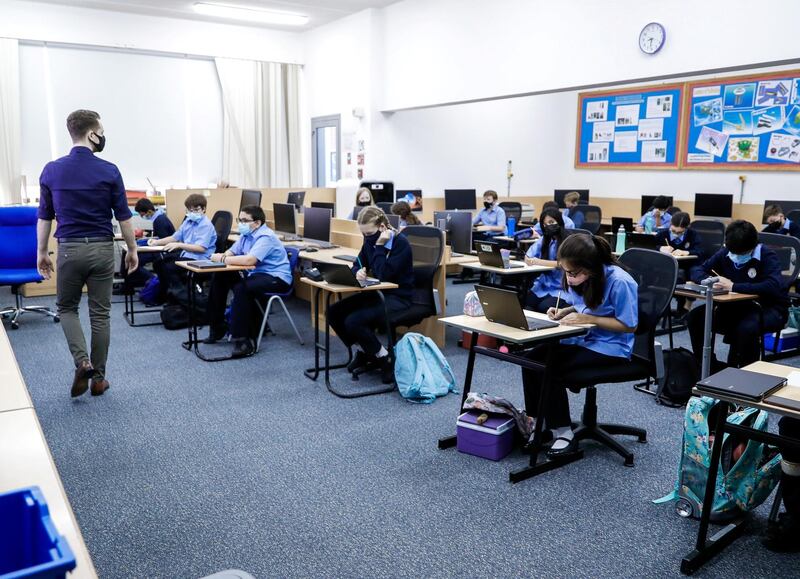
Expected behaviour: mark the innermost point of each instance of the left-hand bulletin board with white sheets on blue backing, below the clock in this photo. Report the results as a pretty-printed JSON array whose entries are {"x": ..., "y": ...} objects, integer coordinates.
[{"x": 633, "y": 128}]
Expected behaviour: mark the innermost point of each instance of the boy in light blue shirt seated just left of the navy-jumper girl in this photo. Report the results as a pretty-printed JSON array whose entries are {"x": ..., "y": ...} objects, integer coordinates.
[{"x": 257, "y": 246}]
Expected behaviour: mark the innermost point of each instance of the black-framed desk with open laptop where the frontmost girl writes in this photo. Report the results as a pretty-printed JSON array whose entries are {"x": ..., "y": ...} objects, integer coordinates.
[{"x": 550, "y": 337}]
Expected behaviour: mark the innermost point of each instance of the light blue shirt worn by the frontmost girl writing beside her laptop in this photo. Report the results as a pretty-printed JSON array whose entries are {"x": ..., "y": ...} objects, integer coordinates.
[{"x": 620, "y": 301}]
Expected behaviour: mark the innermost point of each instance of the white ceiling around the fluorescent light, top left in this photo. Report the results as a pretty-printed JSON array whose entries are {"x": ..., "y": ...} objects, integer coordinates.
[{"x": 319, "y": 11}]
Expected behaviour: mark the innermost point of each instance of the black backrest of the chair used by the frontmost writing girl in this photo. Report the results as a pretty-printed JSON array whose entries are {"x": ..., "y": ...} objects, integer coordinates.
[{"x": 656, "y": 274}]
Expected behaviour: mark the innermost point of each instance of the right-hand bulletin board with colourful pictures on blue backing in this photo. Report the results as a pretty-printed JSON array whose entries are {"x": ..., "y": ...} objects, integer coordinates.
[{"x": 744, "y": 122}]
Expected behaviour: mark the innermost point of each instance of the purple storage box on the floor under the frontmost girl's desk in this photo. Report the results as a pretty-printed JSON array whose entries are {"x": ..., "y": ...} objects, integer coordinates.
[{"x": 493, "y": 439}]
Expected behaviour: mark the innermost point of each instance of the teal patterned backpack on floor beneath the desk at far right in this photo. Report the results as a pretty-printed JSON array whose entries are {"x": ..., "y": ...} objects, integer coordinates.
[{"x": 748, "y": 470}]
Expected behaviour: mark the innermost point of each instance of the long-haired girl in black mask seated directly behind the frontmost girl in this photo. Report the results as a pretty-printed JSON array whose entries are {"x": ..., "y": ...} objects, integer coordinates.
[{"x": 547, "y": 286}]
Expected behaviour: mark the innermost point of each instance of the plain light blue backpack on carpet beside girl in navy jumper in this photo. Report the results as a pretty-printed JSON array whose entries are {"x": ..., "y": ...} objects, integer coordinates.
[{"x": 421, "y": 370}]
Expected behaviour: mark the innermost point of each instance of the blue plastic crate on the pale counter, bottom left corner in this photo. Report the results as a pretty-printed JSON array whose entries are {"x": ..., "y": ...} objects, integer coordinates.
[{"x": 30, "y": 546}]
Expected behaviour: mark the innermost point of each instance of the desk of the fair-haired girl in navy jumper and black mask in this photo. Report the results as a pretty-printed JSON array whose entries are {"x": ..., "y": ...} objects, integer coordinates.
[{"x": 339, "y": 290}]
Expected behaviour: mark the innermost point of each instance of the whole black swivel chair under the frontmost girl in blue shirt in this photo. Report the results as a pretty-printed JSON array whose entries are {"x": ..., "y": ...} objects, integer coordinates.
[{"x": 656, "y": 273}]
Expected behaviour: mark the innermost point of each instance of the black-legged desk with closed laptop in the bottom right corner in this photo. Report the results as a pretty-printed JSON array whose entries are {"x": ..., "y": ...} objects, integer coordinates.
[{"x": 705, "y": 548}]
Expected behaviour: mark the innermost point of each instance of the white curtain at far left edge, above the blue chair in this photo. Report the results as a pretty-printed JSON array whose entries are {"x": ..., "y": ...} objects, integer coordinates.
[{"x": 10, "y": 144}]
